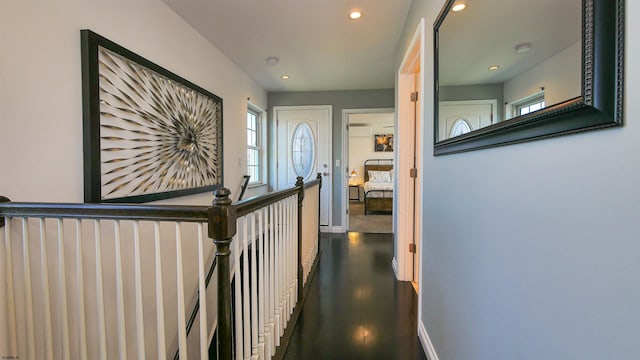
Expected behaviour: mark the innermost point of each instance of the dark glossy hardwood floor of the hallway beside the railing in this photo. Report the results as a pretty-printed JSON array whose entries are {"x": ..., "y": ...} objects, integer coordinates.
[{"x": 355, "y": 309}]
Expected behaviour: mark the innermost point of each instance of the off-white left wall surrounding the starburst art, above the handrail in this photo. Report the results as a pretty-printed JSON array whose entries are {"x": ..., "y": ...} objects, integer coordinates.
[{"x": 40, "y": 87}]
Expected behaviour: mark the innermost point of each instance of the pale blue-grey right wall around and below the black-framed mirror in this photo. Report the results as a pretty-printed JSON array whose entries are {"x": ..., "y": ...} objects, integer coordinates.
[{"x": 530, "y": 251}]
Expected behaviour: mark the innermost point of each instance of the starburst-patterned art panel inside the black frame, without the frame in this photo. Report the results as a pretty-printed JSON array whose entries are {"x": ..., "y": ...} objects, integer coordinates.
[{"x": 156, "y": 135}]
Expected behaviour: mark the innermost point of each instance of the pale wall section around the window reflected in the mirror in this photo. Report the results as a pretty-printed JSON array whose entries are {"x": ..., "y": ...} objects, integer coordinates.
[{"x": 560, "y": 75}]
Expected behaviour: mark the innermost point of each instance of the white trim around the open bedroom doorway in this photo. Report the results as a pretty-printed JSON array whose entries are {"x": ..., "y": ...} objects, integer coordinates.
[{"x": 344, "y": 179}]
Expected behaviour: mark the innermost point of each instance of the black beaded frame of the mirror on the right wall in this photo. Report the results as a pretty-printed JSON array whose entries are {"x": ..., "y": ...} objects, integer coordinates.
[{"x": 599, "y": 106}]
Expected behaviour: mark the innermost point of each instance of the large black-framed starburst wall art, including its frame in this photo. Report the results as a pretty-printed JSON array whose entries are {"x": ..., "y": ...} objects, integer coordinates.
[{"x": 148, "y": 133}]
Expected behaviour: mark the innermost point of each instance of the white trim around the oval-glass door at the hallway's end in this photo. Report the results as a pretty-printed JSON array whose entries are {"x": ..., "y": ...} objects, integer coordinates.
[{"x": 325, "y": 184}]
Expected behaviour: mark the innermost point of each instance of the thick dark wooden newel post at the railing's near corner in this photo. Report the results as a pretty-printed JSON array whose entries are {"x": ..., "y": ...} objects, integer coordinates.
[{"x": 222, "y": 228}]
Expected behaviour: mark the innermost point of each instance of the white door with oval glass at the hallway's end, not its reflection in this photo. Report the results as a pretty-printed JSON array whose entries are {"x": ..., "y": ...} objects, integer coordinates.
[{"x": 304, "y": 149}]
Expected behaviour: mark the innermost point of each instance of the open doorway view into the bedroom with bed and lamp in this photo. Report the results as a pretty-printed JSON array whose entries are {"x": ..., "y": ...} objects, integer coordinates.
[{"x": 369, "y": 178}]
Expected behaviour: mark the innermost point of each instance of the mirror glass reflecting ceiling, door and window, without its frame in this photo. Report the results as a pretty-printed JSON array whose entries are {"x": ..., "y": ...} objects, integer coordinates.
[{"x": 498, "y": 60}]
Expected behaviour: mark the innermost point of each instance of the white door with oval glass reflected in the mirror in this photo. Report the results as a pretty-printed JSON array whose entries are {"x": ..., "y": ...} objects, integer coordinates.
[{"x": 460, "y": 117}]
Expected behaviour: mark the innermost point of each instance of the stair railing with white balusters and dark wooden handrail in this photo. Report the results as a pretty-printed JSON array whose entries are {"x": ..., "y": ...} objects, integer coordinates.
[{"x": 105, "y": 281}]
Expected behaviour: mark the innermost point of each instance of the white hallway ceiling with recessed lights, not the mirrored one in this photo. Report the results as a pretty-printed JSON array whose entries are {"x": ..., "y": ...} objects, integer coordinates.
[{"x": 317, "y": 44}]
